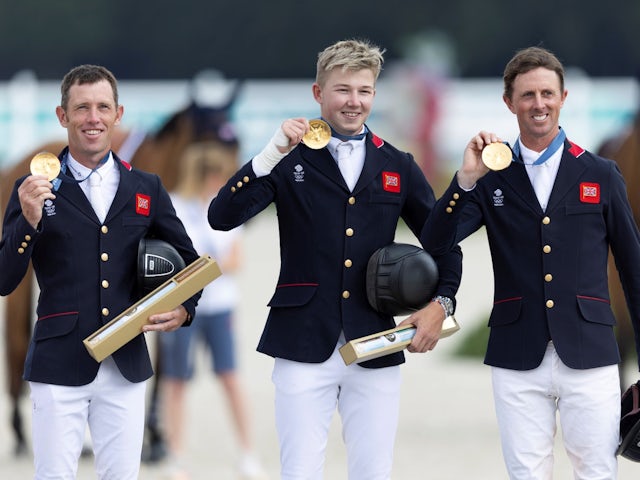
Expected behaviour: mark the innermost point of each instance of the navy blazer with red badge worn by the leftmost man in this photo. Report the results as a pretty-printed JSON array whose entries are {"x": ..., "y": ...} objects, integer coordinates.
[{"x": 86, "y": 271}]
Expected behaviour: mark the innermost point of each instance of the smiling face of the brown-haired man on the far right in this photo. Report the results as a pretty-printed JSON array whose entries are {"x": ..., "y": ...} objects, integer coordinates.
[{"x": 536, "y": 100}]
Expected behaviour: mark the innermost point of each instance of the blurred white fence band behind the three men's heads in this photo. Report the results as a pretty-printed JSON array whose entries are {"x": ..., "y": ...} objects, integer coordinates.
[{"x": 594, "y": 110}]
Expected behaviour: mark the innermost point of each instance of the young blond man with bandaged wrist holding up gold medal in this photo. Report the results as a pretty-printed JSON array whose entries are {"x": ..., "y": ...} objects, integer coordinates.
[{"x": 339, "y": 191}]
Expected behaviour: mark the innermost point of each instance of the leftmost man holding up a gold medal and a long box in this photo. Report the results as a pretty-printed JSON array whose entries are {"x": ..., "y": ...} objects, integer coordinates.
[{"x": 79, "y": 218}]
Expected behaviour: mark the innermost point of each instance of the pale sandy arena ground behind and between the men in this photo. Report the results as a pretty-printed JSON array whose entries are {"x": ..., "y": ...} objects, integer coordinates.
[{"x": 447, "y": 427}]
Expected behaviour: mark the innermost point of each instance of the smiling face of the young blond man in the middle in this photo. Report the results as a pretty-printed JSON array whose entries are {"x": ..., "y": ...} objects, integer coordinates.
[{"x": 346, "y": 98}]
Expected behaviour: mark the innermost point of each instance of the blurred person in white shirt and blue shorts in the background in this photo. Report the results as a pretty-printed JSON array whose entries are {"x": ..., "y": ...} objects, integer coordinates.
[{"x": 206, "y": 166}]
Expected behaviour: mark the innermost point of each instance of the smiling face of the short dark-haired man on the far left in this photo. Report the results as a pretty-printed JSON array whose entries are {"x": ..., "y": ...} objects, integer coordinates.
[{"x": 90, "y": 117}]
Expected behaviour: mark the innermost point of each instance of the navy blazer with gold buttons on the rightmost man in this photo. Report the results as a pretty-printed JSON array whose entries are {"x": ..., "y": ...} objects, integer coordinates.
[{"x": 550, "y": 268}]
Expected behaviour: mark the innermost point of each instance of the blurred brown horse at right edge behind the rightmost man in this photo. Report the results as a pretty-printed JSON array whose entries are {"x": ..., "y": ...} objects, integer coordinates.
[{"x": 624, "y": 149}]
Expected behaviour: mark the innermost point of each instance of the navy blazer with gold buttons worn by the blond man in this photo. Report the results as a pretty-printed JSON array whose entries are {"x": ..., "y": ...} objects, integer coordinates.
[{"x": 327, "y": 235}]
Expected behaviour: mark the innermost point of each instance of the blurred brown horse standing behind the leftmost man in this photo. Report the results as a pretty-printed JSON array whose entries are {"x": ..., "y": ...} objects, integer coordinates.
[{"x": 156, "y": 153}]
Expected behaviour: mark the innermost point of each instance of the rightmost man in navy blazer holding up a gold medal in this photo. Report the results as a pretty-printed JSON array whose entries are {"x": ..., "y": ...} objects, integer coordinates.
[{"x": 552, "y": 212}]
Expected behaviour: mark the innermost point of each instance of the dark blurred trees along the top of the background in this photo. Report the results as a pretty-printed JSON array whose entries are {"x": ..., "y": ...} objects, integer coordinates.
[{"x": 141, "y": 39}]
